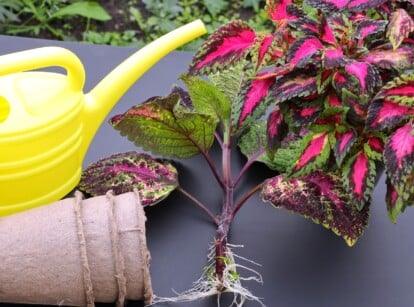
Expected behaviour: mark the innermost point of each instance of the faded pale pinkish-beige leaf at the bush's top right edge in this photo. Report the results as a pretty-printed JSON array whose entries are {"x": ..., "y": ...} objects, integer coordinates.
[{"x": 400, "y": 25}]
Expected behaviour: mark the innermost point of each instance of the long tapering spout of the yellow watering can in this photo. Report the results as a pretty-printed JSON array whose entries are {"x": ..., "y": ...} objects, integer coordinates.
[{"x": 101, "y": 99}]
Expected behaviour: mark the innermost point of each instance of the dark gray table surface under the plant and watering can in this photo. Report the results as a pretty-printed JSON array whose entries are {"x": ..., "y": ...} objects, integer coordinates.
[{"x": 302, "y": 264}]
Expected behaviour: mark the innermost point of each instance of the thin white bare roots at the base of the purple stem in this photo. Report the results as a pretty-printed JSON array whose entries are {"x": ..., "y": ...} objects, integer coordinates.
[{"x": 209, "y": 285}]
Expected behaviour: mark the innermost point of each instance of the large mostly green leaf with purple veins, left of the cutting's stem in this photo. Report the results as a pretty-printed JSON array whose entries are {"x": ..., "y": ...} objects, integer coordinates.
[{"x": 165, "y": 127}]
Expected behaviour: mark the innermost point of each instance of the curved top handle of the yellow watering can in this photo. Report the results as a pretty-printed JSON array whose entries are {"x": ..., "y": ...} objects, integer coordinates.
[{"x": 45, "y": 57}]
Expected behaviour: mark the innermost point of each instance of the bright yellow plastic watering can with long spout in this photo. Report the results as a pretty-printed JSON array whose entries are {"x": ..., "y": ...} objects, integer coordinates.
[{"x": 47, "y": 122}]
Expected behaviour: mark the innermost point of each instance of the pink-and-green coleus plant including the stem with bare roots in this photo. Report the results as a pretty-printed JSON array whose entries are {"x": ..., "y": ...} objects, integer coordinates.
[{"x": 325, "y": 99}]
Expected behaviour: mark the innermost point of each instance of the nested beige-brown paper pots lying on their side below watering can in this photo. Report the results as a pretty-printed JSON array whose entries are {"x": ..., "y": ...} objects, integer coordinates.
[{"x": 76, "y": 252}]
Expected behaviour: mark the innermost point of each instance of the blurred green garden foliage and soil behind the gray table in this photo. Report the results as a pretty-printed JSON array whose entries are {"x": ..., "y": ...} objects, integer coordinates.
[{"x": 121, "y": 22}]
